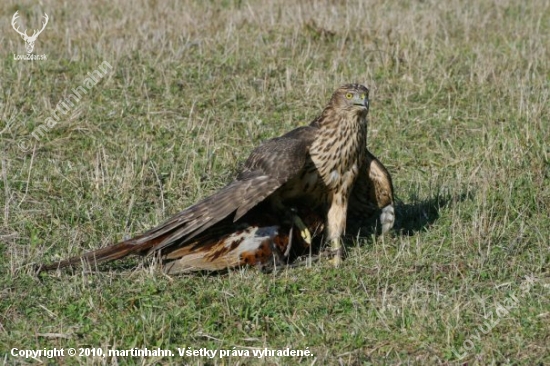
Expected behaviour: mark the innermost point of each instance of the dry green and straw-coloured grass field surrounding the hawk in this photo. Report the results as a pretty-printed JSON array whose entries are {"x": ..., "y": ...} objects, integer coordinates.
[{"x": 460, "y": 96}]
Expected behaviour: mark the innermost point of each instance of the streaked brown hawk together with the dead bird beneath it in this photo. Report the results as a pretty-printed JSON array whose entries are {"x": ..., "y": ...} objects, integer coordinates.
[{"x": 316, "y": 178}]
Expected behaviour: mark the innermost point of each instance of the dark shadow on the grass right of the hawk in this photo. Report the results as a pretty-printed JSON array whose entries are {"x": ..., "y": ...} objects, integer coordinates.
[{"x": 420, "y": 215}]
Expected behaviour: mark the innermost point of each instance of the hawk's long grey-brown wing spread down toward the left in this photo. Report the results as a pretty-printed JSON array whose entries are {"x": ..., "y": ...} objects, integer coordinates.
[{"x": 268, "y": 167}]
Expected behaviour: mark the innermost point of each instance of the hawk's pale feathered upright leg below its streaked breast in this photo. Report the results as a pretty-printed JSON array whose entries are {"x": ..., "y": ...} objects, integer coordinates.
[{"x": 336, "y": 225}]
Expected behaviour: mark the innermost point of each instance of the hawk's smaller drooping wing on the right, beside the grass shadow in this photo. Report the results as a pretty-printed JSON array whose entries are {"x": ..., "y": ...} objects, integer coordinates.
[{"x": 372, "y": 194}]
